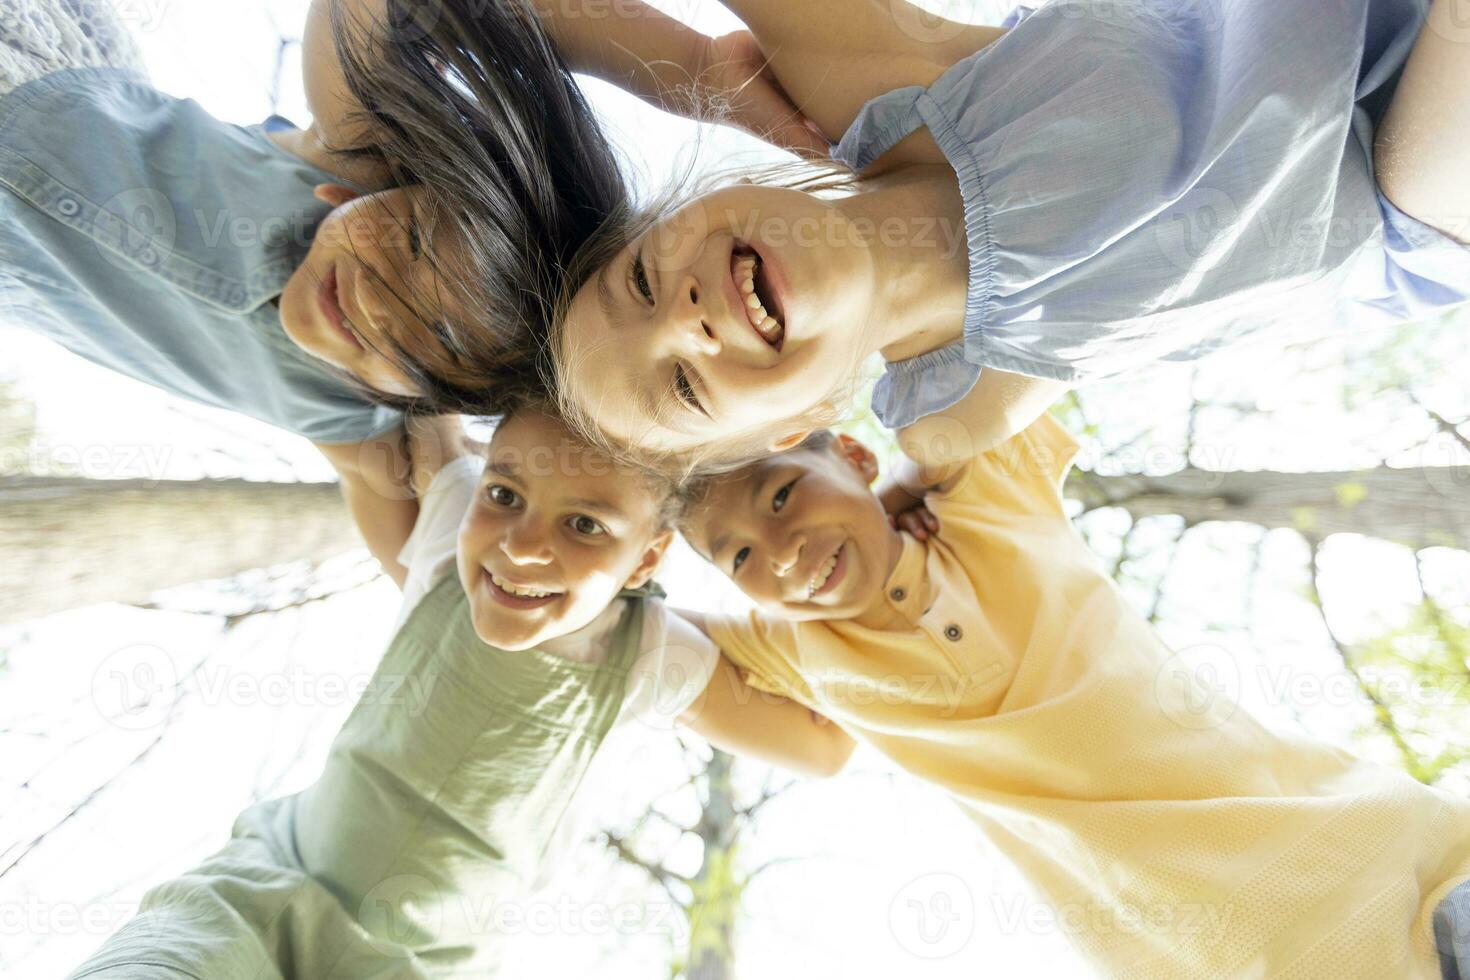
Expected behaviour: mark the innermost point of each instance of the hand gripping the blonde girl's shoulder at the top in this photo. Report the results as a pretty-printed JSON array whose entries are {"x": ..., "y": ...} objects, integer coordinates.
[{"x": 734, "y": 71}]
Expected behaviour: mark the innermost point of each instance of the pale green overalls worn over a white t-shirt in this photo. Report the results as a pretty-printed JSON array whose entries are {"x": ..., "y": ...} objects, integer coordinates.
[{"x": 409, "y": 856}]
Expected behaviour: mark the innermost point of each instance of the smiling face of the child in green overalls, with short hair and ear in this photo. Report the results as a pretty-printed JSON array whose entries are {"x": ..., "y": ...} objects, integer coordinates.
[{"x": 555, "y": 533}]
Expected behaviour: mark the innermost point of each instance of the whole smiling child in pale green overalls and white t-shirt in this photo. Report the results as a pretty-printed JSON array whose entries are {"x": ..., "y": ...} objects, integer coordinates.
[{"x": 448, "y": 787}]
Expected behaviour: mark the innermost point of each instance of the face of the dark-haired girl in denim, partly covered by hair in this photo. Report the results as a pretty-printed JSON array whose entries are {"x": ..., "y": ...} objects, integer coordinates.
[{"x": 367, "y": 278}]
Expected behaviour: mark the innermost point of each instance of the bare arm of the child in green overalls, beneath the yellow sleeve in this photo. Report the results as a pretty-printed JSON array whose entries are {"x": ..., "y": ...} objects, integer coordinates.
[{"x": 739, "y": 719}]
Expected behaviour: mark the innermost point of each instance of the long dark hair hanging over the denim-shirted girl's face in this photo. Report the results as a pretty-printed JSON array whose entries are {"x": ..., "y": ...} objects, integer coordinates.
[{"x": 471, "y": 102}]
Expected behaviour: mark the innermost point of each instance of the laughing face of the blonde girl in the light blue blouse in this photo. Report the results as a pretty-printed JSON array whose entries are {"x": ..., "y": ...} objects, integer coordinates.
[{"x": 745, "y": 309}]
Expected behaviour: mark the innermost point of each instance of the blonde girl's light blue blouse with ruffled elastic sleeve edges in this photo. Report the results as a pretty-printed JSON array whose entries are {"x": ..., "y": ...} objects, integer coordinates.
[{"x": 1161, "y": 179}]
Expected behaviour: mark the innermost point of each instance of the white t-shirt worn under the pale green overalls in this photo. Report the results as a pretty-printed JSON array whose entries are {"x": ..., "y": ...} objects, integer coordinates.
[{"x": 673, "y": 669}]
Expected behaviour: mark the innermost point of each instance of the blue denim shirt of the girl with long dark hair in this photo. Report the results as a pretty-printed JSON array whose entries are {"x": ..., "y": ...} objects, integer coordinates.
[{"x": 146, "y": 236}]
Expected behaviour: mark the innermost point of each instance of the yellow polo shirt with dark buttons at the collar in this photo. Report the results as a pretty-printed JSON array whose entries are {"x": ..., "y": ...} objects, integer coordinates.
[{"x": 1169, "y": 834}]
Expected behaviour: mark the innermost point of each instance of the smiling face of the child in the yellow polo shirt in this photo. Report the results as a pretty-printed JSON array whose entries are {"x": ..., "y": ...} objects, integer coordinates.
[{"x": 802, "y": 534}]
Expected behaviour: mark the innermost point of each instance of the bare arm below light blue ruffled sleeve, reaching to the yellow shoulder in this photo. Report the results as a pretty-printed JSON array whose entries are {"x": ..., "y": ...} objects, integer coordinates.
[{"x": 1000, "y": 406}]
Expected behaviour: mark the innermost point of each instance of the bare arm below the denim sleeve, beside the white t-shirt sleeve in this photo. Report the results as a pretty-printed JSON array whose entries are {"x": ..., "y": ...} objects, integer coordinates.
[{"x": 376, "y": 484}]
